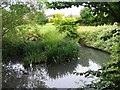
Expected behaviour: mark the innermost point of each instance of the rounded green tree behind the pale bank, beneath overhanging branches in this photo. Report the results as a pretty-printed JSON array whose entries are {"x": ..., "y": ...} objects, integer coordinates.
[{"x": 88, "y": 16}]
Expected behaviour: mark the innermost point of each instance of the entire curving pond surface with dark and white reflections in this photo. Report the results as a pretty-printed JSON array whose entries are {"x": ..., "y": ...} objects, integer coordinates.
[{"x": 15, "y": 75}]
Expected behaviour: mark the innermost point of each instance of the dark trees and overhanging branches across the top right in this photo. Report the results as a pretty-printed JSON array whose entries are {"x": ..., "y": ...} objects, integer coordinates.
[{"x": 94, "y": 13}]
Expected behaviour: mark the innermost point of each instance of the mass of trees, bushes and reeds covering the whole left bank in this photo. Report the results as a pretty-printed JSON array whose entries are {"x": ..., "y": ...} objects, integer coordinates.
[{"x": 28, "y": 37}]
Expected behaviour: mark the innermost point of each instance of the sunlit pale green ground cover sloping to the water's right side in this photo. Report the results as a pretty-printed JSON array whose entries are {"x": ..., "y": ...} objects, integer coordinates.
[{"x": 101, "y": 37}]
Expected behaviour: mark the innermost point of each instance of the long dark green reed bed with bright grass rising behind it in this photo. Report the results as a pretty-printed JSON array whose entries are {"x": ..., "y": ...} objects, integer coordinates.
[{"x": 54, "y": 48}]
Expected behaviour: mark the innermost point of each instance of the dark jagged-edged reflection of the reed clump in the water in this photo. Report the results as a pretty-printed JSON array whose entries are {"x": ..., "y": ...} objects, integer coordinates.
[{"x": 56, "y": 71}]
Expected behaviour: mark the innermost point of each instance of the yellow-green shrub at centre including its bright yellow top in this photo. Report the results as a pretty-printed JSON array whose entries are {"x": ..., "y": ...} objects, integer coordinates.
[{"x": 65, "y": 25}]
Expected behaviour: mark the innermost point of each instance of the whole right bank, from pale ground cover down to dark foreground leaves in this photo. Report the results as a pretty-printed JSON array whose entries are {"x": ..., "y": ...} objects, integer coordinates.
[{"x": 105, "y": 38}]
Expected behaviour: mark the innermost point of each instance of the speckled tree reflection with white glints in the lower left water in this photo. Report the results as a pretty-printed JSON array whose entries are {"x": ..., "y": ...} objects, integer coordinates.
[{"x": 14, "y": 77}]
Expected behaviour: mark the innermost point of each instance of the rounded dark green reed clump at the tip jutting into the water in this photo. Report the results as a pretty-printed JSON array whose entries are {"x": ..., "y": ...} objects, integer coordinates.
[{"x": 63, "y": 51}]
